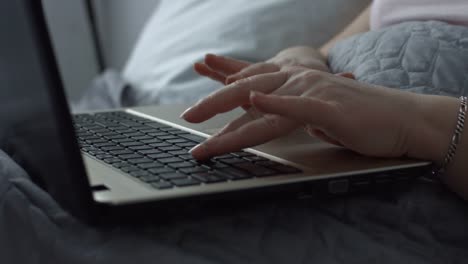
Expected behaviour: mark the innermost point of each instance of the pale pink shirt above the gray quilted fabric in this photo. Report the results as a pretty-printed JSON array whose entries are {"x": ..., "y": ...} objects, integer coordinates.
[{"x": 387, "y": 12}]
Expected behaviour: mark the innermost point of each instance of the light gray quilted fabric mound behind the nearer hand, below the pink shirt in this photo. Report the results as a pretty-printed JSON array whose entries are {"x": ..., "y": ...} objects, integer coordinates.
[{"x": 425, "y": 57}]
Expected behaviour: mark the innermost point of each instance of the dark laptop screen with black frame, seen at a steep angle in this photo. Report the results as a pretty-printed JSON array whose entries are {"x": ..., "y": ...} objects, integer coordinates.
[{"x": 35, "y": 124}]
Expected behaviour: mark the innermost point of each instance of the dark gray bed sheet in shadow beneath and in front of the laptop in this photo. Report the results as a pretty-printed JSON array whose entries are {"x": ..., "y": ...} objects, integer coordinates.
[{"x": 426, "y": 224}]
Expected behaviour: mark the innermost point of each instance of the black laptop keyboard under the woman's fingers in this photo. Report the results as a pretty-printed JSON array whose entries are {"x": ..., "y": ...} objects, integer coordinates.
[{"x": 157, "y": 154}]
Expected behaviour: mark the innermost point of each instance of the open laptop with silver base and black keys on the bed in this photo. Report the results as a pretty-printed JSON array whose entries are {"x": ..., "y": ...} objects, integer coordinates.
[{"x": 129, "y": 157}]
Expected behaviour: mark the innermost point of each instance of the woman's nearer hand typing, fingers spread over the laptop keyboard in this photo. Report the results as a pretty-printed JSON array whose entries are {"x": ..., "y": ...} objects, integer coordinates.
[{"x": 368, "y": 119}]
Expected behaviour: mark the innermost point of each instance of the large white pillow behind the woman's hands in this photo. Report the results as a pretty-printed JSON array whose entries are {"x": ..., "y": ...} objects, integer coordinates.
[{"x": 180, "y": 33}]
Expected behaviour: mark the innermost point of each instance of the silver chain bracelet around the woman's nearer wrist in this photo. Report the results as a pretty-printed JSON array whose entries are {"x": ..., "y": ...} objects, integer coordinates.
[{"x": 455, "y": 138}]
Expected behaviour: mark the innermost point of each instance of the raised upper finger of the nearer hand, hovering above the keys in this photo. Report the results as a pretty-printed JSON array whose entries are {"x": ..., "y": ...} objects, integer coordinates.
[{"x": 233, "y": 95}]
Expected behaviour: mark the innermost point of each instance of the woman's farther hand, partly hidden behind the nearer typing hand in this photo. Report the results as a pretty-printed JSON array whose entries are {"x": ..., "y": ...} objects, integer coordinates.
[{"x": 227, "y": 70}]
